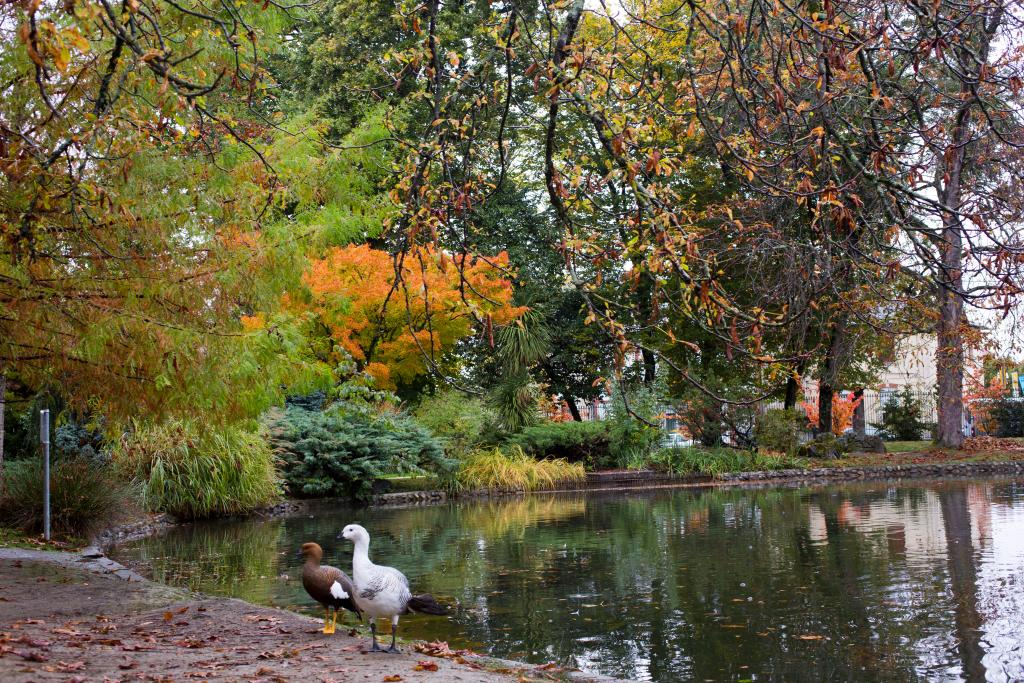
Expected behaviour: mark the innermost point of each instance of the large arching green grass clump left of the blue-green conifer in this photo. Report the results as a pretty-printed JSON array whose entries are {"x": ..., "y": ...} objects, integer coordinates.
[{"x": 193, "y": 472}]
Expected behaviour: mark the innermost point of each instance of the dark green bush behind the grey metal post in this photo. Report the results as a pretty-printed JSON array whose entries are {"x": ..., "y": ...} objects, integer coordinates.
[{"x": 84, "y": 496}]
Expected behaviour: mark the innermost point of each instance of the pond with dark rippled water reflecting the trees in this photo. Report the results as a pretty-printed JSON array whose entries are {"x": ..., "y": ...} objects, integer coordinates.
[{"x": 879, "y": 582}]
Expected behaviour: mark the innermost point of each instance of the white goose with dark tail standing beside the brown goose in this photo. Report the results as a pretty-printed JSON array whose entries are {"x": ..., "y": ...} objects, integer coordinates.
[{"x": 383, "y": 591}]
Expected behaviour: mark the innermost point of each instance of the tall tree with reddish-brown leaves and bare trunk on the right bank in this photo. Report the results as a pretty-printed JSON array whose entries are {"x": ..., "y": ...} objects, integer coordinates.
[{"x": 915, "y": 108}]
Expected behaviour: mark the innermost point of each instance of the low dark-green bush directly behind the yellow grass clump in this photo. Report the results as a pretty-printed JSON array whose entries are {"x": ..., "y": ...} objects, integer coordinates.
[{"x": 586, "y": 443}]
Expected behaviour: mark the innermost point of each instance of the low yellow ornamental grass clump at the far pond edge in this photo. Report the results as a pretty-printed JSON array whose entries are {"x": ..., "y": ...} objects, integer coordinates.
[{"x": 515, "y": 471}]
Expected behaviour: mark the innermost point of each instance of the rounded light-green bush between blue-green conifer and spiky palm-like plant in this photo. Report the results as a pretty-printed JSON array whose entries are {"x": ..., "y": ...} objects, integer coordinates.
[{"x": 462, "y": 423}]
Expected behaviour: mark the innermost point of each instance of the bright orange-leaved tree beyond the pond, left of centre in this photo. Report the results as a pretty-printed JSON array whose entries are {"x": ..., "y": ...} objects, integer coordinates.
[{"x": 398, "y": 333}]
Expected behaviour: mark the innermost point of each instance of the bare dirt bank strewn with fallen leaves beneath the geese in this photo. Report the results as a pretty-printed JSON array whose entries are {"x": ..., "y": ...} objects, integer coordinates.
[{"x": 68, "y": 619}]
